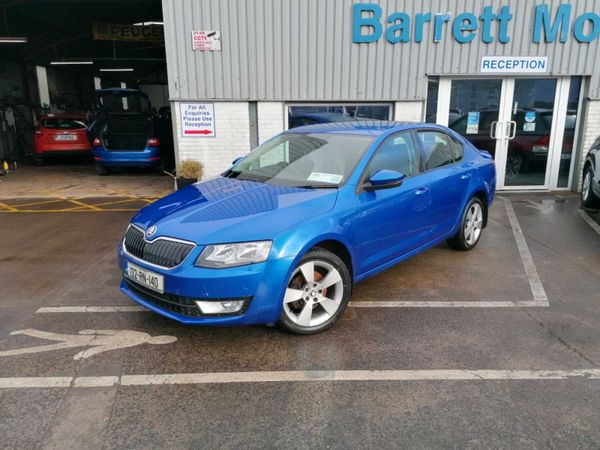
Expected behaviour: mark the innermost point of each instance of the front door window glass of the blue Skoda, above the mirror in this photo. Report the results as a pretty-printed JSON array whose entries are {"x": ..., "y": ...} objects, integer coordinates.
[{"x": 396, "y": 153}]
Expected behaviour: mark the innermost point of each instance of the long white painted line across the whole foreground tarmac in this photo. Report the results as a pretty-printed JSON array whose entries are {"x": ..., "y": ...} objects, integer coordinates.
[{"x": 298, "y": 376}]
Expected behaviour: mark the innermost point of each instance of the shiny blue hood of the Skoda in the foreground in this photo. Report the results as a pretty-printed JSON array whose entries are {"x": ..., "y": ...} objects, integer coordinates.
[{"x": 229, "y": 210}]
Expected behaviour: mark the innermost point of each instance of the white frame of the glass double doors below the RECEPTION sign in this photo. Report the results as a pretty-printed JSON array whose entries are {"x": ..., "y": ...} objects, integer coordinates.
[{"x": 561, "y": 98}]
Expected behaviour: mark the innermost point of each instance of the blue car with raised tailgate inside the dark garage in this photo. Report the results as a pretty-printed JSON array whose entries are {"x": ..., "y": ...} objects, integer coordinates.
[{"x": 126, "y": 133}]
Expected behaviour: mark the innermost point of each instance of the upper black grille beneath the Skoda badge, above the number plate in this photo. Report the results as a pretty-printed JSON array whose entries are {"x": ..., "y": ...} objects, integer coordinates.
[{"x": 161, "y": 252}]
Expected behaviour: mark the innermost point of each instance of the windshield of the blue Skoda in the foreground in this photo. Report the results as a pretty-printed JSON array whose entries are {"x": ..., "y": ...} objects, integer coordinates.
[{"x": 303, "y": 160}]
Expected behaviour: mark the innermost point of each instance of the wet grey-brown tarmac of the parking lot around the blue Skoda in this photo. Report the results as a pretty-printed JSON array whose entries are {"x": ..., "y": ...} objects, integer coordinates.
[{"x": 68, "y": 259}]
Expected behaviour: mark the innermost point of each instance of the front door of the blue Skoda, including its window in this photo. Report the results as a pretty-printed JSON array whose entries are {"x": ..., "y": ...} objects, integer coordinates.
[{"x": 393, "y": 221}]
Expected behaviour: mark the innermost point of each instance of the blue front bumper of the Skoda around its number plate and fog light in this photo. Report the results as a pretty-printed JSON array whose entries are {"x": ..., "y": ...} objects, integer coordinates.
[{"x": 261, "y": 285}]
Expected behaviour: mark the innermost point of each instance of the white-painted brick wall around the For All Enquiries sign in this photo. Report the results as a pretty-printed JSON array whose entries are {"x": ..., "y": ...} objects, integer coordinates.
[{"x": 232, "y": 138}]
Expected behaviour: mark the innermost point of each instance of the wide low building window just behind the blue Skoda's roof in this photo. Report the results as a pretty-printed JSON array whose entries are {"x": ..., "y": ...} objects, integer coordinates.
[{"x": 300, "y": 115}]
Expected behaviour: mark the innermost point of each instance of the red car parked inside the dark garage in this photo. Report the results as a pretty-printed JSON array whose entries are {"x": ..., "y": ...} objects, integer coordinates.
[{"x": 61, "y": 135}]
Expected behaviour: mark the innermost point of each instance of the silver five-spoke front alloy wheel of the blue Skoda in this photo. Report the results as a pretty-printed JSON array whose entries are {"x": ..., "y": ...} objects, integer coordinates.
[{"x": 314, "y": 294}]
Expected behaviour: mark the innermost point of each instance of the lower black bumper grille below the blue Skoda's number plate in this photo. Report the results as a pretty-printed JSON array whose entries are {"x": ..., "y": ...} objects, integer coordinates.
[{"x": 186, "y": 306}]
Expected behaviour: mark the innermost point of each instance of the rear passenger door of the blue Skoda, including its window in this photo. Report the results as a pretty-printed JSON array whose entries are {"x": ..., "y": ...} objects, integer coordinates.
[{"x": 449, "y": 178}]
